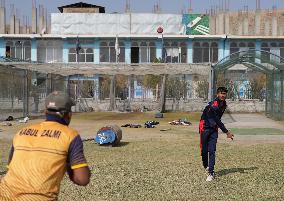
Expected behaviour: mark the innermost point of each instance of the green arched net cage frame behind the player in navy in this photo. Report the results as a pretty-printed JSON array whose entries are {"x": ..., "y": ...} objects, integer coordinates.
[{"x": 265, "y": 62}]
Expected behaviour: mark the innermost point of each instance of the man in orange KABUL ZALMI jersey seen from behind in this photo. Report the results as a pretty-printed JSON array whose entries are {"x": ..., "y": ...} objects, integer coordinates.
[{"x": 42, "y": 153}]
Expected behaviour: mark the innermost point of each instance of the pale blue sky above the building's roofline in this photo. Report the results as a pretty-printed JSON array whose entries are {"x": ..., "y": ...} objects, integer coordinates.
[{"x": 167, "y": 6}]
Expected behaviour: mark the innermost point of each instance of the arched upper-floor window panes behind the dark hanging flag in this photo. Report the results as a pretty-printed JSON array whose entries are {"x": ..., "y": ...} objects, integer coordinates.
[{"x": 86, "y": 55}]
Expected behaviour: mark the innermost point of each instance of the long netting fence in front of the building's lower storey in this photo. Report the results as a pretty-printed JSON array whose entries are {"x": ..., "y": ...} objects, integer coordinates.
[{"x": 23, "y": 92}]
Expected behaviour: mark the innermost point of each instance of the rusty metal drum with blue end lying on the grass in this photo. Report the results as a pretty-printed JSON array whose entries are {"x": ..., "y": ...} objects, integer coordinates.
[{"x": 109, "y": 135}]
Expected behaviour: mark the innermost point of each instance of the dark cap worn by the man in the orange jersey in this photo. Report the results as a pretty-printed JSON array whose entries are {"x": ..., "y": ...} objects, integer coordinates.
[{"x": 58, "y": 101}]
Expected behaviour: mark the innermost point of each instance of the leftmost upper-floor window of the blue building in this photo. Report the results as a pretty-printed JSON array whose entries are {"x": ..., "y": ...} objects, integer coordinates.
[{"x": 19, "y": 49}]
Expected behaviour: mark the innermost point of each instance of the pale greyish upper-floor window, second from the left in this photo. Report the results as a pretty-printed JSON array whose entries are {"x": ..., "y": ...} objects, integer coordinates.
[{"x": 50, "y": 51}]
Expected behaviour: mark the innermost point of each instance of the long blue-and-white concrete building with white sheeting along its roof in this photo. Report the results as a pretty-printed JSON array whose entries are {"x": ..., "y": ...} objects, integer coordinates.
[{"x": 187, "y": 39}]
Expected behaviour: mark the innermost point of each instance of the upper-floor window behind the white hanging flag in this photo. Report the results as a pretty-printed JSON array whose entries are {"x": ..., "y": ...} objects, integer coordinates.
[{"x": 108, "y": 52}]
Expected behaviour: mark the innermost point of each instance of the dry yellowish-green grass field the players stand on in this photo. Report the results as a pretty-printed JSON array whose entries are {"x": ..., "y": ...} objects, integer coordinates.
[{"x": 168, "y": 167}]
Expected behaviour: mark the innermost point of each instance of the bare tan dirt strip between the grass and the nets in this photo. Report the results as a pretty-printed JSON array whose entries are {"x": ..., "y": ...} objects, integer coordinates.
[{"x": 88, "y": 124}]
